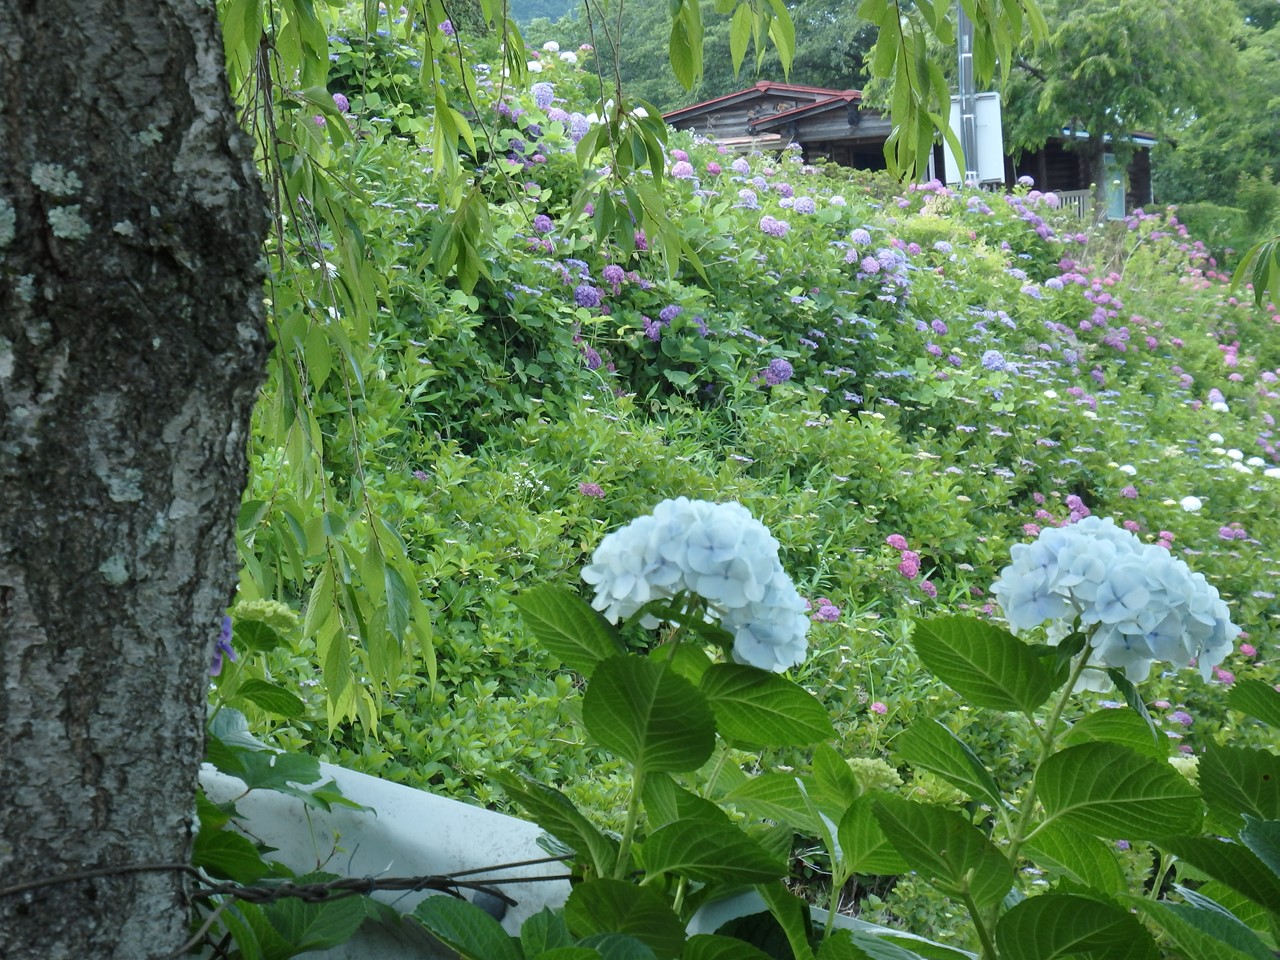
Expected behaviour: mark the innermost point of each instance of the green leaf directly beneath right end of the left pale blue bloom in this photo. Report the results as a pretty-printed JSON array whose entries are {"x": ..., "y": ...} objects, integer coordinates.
[{"x": 756, "y": 707}]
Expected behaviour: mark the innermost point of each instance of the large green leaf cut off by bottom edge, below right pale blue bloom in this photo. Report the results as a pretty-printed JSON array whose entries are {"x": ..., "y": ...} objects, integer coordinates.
[{"x": 1057, "y": 926}]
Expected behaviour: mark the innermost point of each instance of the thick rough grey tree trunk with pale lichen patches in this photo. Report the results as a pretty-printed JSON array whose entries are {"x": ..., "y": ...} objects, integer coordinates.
[{"x": 131, "y": 349}]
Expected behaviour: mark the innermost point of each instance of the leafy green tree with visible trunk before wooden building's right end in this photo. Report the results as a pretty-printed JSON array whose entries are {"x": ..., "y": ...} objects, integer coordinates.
[{"x": 1116, "y": 70}]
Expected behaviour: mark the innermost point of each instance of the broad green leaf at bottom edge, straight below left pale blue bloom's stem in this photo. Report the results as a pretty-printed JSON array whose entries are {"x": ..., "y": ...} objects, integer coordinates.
[{"x": 616, "y": 907}]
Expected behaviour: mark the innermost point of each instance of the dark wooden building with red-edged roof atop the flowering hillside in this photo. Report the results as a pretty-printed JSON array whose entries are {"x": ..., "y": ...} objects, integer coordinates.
[{"x": 833, "y": 125}]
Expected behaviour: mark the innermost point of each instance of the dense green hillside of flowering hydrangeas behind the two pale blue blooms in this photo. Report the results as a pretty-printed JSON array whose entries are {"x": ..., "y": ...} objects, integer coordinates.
[{"x": 477, "y": 380}]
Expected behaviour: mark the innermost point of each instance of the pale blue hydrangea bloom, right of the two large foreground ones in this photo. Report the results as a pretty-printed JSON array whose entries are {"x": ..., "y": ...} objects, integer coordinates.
[{"x": 1137, "y": 602}]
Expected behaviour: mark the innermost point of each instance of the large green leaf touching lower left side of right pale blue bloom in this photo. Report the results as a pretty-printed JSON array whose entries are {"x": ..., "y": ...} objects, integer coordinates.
[{"x": 988, "y": 666}]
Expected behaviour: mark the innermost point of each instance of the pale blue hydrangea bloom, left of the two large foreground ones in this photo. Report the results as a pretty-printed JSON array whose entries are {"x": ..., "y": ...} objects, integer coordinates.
[{"x": 719, "y": 552}]
